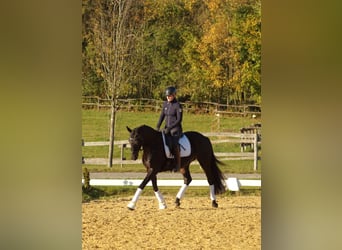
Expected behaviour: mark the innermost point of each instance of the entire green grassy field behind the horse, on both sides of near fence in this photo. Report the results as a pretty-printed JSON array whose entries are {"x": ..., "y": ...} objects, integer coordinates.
[{"x": 95, "y": 127}]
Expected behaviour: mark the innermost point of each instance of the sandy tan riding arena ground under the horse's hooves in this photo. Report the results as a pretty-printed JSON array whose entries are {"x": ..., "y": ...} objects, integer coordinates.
[{"x": 235, "y": 224}]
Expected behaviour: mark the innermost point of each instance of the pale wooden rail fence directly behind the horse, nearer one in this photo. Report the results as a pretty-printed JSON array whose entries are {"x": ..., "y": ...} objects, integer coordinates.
[{"x": 242, "y": 139}]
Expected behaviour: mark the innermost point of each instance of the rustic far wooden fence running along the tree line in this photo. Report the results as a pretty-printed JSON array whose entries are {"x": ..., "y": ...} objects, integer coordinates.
[{"x": 145, "y": 104}]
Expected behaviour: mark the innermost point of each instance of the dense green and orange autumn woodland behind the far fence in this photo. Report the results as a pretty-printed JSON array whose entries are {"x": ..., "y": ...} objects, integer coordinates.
[{"x": 210, "y": 50}]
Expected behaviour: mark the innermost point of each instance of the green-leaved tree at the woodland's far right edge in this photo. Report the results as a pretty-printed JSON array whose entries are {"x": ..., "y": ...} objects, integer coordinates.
[{"x": 246, "y": 53}]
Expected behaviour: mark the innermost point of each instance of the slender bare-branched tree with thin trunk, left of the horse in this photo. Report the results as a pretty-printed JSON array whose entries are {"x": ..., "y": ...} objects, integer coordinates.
[{"x": 110, "y": 40}]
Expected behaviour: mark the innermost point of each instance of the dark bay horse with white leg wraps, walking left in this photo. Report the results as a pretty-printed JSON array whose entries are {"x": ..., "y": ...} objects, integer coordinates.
[{"x": 155, "y": 161}]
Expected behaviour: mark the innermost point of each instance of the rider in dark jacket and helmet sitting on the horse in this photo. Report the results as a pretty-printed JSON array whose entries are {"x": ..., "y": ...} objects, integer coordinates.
[{"x": 172, "y": 113}]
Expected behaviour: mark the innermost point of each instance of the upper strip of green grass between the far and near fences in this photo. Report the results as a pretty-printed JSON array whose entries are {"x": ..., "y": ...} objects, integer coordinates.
[{"x": 95, "y": 124}]
